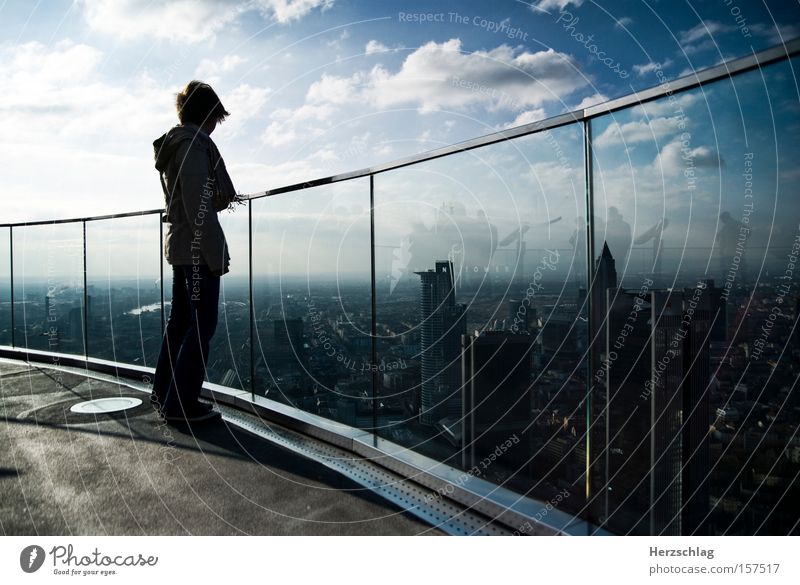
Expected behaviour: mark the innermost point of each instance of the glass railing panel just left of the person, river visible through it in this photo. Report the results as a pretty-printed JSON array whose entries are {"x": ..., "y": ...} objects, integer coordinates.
[{"x": 123, "y": 289}]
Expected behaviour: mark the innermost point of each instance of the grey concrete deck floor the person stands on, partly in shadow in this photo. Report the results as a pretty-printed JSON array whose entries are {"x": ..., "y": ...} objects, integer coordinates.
[{"x": 130, "y": 474}]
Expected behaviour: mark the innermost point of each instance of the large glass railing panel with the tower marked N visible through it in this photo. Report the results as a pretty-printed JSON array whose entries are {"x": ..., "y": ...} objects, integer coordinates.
[{"x": 480, "y": 294}]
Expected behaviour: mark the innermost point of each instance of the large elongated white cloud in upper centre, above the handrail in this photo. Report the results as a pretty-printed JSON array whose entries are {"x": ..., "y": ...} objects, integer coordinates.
[{"x": 502, "y": 79}]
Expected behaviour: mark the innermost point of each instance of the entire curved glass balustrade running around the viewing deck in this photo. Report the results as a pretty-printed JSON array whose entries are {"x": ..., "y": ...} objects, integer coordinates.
[{"x": 450, "y": 305}]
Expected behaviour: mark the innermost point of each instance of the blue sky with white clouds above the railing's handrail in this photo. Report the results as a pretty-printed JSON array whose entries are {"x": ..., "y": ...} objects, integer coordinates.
[{"x": 317, "y": 87}]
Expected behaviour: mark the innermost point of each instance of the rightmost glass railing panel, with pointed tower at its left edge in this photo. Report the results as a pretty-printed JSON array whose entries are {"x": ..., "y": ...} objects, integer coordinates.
[{"x": 696, "y": 199}]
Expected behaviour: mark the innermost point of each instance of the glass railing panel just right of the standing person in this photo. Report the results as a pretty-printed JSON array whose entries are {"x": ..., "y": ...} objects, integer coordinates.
[{"x": 312, "y": 301}]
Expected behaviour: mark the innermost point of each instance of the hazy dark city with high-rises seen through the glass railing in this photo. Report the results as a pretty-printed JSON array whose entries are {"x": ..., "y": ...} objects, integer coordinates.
[{"x": 692, "y": 419}]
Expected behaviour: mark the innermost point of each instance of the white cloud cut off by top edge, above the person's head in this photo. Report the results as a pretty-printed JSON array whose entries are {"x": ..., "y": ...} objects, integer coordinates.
[{"x": 185, "y": 20}]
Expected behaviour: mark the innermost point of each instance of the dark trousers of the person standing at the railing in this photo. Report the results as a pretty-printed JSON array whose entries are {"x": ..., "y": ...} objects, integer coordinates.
[{"x": 192, "y": 321}]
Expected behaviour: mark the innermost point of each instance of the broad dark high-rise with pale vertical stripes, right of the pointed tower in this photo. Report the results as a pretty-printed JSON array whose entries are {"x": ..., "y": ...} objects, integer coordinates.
[{"x": 656, "y": 437}]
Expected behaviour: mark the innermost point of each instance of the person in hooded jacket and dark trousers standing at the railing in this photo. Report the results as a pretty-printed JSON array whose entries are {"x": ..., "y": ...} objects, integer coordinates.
[{"x": 196, "y": 187}]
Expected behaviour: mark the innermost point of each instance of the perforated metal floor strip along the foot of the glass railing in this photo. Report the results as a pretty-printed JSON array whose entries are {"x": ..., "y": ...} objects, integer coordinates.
[{"x": 440, "y": 512}]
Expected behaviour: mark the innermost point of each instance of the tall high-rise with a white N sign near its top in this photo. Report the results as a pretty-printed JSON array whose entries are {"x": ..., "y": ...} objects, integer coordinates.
[{"x": 442, "y": 322}]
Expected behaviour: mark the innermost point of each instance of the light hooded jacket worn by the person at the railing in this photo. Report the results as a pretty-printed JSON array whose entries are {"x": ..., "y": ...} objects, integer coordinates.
[{"x": 196, "y": 186}]
